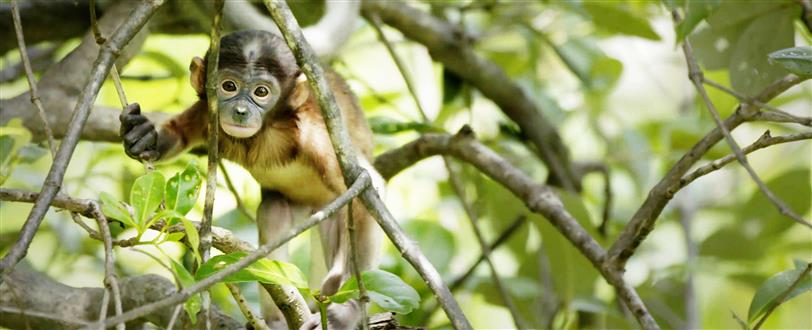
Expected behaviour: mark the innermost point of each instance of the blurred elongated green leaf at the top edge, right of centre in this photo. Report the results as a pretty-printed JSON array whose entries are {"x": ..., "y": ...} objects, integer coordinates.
[{"x": 618, "y": 19}]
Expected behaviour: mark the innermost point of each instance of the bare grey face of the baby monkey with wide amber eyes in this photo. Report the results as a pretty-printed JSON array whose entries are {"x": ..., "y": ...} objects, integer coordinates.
[{"x": 244, "y": 100}]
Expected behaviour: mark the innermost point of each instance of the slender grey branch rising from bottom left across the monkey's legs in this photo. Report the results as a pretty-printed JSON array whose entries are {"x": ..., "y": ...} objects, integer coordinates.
[{"x": 357, "y": 187}]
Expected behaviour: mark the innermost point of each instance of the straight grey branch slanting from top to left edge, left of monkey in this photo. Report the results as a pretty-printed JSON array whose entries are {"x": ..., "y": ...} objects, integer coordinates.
[{"x": 107, "y": 54}]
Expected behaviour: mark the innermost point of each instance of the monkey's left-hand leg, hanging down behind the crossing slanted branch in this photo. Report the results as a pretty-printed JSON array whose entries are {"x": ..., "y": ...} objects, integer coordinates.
[{"x": 274, "y": 218}]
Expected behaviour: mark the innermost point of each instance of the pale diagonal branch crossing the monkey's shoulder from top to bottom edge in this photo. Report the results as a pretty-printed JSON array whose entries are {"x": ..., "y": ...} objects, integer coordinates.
[{"x": 339, "y": 137}]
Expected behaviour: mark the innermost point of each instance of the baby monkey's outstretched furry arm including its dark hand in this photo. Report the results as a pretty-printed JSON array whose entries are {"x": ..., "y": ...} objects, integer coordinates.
[{"x": 143, "y": 142}]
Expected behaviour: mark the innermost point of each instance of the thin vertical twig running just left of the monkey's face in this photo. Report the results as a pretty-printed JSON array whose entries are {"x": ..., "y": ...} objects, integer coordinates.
[{"x": 212, "y": 61}]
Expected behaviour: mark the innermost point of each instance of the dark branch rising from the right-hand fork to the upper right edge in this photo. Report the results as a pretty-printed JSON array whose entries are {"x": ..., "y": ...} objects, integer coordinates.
[{"x": 645, "y": 217}]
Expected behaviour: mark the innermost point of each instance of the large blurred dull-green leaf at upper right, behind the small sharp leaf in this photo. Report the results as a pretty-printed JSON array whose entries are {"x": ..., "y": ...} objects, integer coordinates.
[{"x": 750, "y": 71}]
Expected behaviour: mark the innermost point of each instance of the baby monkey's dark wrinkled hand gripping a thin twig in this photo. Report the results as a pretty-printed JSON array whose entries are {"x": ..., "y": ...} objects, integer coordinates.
[{"x": 139, "y": 134}]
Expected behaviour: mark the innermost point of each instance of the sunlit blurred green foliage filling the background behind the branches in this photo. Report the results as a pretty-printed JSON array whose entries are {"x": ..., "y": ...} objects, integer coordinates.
[{"x": 611, "y": 80}]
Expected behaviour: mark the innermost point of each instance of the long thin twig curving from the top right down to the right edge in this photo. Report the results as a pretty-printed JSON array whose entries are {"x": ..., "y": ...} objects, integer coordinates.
[{"x": 696, "y": 76}]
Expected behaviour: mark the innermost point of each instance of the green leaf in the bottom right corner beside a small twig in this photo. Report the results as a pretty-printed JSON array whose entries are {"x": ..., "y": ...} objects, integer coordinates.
[{"x": 768, "y": 294}]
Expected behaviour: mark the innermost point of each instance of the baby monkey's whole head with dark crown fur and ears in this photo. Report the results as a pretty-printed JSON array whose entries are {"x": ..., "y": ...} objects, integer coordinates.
[{"x": 255, "y": 75}]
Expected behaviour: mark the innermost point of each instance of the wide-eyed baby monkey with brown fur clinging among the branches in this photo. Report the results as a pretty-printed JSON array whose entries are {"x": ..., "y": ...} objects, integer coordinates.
[{"x": 271, "y": 124}]
